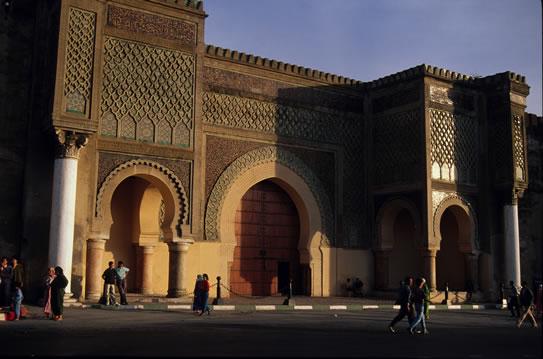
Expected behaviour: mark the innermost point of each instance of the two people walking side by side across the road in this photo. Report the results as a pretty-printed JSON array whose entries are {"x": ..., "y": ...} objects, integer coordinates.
[{"x": 414, "y": 301}]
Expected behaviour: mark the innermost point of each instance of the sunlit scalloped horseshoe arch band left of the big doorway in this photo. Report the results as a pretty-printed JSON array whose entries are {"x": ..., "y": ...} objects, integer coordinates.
[{"x": 170, "y": 187}]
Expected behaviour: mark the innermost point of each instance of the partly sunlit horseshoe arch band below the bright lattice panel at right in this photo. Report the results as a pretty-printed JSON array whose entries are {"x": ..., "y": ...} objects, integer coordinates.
[{"x": 464, "y": 214}]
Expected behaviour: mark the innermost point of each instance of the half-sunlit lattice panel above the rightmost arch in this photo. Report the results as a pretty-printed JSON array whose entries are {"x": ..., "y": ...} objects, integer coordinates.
[{"x": 455, "y": 143}]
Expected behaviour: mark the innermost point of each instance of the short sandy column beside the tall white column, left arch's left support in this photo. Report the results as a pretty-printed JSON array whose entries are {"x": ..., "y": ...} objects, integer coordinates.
[{"x": 95, "y": 254}]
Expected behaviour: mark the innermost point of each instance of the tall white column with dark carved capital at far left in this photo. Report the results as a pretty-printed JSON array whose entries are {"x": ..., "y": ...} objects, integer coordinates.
[{"x": 61, "y": 230}]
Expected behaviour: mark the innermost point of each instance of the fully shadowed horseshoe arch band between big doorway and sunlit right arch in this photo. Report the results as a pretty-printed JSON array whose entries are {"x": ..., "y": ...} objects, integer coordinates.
[{"x": 386, "y": 215}]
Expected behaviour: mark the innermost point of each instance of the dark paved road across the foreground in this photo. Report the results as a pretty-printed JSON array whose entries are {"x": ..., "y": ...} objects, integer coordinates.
[{"x": 331, "y": 333}]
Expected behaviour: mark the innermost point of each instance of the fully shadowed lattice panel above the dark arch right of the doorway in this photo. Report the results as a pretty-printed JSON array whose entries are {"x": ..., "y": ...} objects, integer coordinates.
[{"x": 396, "y": 147}]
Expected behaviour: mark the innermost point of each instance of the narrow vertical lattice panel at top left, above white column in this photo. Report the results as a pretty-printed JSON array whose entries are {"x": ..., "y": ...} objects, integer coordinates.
[{"x": 79, "y": 61}]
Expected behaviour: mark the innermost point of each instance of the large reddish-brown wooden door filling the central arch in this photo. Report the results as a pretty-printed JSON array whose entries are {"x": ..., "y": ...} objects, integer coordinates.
[{"x": 267, "y": 230}]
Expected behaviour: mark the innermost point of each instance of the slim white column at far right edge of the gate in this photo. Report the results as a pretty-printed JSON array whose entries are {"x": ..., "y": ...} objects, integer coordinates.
[{"x": 512, "y": 242}]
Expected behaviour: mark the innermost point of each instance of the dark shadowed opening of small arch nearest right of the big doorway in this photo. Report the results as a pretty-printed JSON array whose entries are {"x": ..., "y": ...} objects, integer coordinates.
[{"x": 405, "y": 257}]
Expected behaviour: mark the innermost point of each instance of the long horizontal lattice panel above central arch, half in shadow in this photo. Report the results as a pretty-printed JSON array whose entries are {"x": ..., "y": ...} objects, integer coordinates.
[{"x": 270, "y": 117}]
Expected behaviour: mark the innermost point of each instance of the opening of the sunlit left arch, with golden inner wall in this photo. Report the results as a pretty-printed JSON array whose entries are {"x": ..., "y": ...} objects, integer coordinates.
[{"x": 138, "y": 213}]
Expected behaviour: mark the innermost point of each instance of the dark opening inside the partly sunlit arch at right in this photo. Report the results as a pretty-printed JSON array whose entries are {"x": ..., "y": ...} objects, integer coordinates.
[{"x": 450, "y": 262}]
